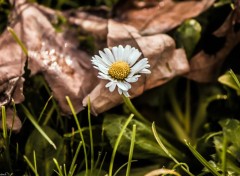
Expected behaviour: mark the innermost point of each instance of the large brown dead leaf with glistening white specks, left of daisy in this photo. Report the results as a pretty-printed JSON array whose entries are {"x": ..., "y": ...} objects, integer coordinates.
[{"x": 64, "y": 67}]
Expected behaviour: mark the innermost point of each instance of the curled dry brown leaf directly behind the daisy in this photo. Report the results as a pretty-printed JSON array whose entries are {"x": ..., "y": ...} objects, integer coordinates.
[{"x": 166, "y": 62}]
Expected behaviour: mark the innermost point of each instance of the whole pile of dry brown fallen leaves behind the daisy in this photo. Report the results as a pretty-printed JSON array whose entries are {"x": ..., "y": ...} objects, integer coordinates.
[{"x": 68, "y": 70}]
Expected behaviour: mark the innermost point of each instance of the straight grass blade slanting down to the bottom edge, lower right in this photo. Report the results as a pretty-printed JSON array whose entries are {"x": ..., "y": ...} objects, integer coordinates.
[{"x": 202, "y": 160}]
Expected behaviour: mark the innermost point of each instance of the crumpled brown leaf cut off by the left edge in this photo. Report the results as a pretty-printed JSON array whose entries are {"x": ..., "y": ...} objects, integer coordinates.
[{"x": 11, "y": 69}]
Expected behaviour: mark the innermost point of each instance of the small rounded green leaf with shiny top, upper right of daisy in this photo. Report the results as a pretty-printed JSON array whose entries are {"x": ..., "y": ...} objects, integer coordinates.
[{"x": 188, "y": 35}]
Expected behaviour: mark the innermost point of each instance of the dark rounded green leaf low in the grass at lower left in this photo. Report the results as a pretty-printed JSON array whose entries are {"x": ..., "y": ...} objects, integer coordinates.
[{"x": 44, "y": 151}]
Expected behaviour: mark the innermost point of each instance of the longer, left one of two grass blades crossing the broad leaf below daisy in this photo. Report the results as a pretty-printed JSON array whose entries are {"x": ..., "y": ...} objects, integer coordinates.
[{"x": 117, "y": 143}]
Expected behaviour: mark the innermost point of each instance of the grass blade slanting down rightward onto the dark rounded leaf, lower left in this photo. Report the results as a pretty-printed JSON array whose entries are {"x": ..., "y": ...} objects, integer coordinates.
[{"x": 36, "y": 125}]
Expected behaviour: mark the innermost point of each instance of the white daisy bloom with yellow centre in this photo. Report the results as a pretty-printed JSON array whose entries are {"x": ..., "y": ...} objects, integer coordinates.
[{"x": 120, "y": 67}]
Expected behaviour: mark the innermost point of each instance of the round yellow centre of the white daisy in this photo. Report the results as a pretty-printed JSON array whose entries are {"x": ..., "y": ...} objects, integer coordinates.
[{"x": 119, "y": 70}]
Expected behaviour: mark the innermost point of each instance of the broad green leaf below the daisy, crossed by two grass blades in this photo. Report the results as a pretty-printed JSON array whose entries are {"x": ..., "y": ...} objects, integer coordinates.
[{"x": 145, "y": 143}]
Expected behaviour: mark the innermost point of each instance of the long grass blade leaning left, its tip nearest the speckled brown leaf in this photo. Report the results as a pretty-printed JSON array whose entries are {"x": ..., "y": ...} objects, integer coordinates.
[{"x": 80, "y": 133}]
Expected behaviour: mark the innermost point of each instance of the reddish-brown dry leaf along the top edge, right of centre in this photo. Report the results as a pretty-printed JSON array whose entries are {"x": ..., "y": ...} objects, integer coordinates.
[{"x": 161, "y": 17}]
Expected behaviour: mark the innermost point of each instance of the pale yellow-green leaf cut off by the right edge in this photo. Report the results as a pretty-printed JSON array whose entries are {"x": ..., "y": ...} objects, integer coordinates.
[{"x": 231, "y": 80}]
